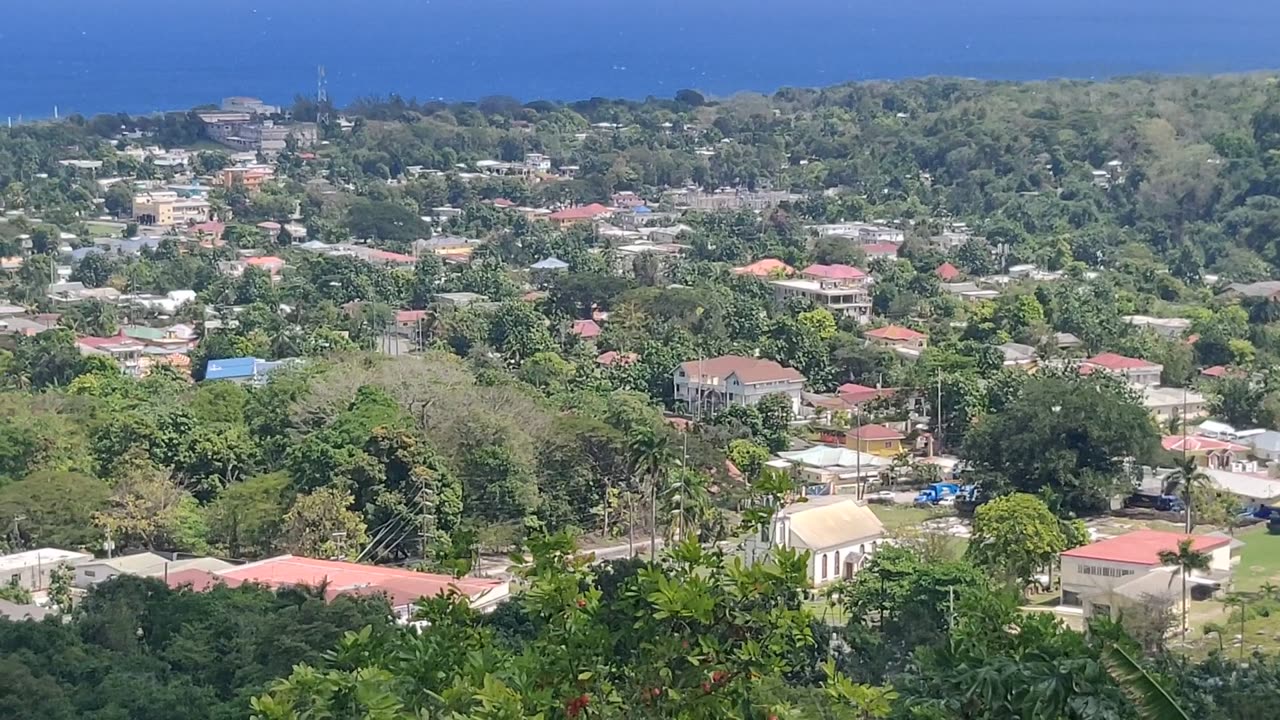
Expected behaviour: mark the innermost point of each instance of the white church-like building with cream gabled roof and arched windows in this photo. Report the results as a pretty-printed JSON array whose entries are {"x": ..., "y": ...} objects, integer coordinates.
[{"x": 839, "y": 532}]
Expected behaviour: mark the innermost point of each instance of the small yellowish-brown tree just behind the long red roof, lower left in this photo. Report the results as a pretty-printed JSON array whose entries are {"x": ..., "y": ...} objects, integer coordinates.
[{"x": 322, "y": 525}]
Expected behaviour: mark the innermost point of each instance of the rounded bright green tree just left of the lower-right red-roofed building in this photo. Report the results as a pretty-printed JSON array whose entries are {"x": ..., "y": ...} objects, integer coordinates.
[{"x": 1016, "y": 537}]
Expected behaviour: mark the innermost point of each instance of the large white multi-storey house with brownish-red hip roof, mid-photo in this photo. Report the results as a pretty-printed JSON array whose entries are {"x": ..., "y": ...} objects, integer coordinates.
[{"x": 712, "y": 385}]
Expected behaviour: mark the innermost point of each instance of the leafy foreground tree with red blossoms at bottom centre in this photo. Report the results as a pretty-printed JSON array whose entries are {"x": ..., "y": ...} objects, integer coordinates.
[{"x": 701, "y": 639}]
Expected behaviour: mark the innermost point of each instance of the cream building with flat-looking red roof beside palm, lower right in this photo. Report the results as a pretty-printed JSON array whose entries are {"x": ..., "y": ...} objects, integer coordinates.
[{"x": 1094, "y": 576}]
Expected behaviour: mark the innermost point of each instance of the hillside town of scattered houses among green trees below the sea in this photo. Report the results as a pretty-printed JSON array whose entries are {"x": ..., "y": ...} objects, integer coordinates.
[{"x": 472, "y": 370}]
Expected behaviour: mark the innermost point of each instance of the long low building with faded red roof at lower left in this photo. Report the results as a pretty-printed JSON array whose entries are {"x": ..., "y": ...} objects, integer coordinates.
[{"x": 401, "y": 587}]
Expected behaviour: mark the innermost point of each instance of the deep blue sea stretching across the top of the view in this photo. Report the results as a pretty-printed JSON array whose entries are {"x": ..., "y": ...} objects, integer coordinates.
[{"x": 144, "y": 56}]
